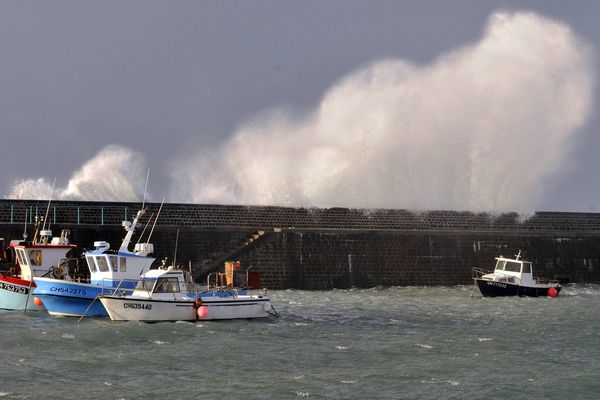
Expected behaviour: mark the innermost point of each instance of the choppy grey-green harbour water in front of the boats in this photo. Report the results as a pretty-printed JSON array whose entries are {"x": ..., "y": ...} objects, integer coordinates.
[{"x": 384, "y": 343}]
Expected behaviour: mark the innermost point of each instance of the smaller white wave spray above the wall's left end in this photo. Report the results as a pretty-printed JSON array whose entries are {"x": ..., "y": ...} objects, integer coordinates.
[{"x": 114, "y": 174}]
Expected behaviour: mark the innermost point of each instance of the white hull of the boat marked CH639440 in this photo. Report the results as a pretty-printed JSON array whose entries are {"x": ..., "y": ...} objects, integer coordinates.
[{"x": 121, "y": 308}]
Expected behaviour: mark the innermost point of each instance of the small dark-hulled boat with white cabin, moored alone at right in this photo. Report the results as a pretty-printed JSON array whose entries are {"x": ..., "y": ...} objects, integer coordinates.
[{"x": 514, "y": 277}]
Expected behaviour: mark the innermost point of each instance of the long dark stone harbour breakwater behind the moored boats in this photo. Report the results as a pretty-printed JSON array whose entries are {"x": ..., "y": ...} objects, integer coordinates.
[{"x": 330, "y": 248}]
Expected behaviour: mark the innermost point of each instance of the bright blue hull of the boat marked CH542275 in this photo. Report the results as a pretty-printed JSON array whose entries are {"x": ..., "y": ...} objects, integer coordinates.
[{"x": 72, "y": 299}]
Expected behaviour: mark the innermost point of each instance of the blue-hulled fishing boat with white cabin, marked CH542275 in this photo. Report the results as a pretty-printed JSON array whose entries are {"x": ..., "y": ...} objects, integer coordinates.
[{"x": 108, "y": 268}]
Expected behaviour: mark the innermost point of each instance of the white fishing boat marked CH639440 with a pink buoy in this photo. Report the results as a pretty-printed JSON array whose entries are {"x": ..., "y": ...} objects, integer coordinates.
[{"x": 169, "y": 294}]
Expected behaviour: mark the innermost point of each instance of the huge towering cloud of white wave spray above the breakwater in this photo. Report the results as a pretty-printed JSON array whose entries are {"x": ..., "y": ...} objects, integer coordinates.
[{"x": 481, "y": 128}]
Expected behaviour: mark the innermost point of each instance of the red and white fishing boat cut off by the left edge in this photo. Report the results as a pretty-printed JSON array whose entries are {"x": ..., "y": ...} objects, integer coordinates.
[{"x": 25, "y": 260}]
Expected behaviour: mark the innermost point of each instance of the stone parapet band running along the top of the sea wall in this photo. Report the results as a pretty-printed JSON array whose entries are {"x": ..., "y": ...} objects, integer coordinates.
[{"x": 267, "y": 217}]
